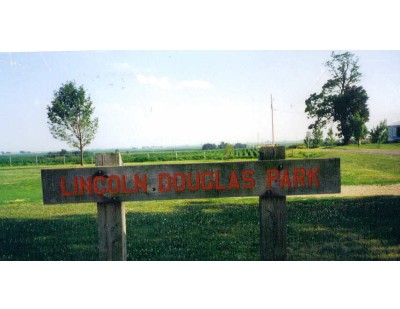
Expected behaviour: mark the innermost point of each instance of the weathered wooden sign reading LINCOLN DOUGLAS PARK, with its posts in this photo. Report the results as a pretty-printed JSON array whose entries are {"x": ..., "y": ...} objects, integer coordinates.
[{"x": 271, "y": 180}]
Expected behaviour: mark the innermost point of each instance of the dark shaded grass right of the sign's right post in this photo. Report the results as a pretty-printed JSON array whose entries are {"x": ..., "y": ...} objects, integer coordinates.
[{"x": 352, "y": 229}]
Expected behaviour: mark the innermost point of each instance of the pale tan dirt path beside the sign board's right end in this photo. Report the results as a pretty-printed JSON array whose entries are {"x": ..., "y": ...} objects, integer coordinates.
[{"x": 367, "y": 190}]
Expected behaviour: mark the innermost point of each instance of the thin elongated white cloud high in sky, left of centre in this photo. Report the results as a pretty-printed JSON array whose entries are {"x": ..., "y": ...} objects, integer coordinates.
[{"x": 165, "y": 84}]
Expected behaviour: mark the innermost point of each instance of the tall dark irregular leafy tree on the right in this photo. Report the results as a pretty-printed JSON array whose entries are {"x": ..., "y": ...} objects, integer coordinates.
[{"x": 341, "y": 97}]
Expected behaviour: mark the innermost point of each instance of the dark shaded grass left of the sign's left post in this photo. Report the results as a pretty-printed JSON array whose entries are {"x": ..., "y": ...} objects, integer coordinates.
[{"x": 66, "y": 238}]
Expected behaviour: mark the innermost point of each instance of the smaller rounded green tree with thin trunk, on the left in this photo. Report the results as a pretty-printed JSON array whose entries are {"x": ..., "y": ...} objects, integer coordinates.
[{"x": 70, "y": 117}]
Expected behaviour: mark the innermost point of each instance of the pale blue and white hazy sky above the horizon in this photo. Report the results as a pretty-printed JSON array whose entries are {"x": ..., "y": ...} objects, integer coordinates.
[{"x": 176, "y": 98}]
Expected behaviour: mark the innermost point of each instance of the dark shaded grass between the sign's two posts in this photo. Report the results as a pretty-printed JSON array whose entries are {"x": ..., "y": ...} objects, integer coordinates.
[{"x": 198, "y": 230}]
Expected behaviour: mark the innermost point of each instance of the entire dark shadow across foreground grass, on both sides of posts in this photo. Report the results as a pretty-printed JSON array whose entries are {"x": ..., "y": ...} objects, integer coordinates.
[{"x": 318, "y": 229}]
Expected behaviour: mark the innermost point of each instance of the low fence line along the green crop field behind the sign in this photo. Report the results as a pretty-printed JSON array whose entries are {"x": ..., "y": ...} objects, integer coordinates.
[{"x": 130, "y": 157}]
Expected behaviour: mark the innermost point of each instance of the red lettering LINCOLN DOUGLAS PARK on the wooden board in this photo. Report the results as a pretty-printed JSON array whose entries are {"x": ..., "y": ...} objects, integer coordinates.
[{"x": 182, "y": 181}]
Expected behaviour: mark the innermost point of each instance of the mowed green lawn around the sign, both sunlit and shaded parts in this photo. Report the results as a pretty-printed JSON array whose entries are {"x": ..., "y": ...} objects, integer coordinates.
[{"x": 213, "y": 229}]
